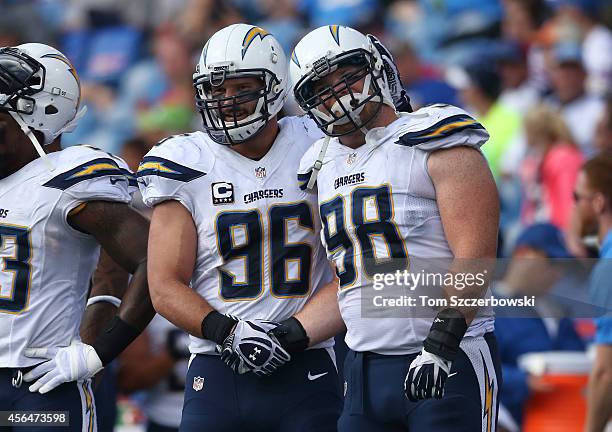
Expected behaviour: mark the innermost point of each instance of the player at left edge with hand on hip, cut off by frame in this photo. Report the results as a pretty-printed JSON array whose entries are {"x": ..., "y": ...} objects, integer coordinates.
[{"x": 58, "y": 207}]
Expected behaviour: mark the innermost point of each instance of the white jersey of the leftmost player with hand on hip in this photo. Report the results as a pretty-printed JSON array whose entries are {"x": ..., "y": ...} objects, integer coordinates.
[{"x": 46, "y": 264}]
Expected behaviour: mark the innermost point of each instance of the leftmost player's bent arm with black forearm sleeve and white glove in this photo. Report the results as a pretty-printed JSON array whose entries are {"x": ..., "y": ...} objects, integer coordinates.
[{"x": 122, "y": 232}]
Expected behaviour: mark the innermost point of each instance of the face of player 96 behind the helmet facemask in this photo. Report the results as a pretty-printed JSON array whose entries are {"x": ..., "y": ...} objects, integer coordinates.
[{"x": 238, "y": 97}]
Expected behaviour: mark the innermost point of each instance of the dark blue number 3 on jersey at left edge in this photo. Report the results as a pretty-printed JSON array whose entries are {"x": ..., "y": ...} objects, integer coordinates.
[{"x": 15, "y": 253}]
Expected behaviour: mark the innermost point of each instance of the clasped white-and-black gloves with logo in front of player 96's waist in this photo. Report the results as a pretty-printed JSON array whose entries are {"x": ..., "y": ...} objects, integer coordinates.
[{"x": 250, "y": 349}]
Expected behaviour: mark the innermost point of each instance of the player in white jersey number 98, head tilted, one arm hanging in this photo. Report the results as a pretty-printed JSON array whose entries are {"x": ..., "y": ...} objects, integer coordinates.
[{"x": 394, "y": 190}]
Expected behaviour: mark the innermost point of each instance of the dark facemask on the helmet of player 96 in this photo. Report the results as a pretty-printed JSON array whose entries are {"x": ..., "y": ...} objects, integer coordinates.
[{"x": 232, "y": 130}]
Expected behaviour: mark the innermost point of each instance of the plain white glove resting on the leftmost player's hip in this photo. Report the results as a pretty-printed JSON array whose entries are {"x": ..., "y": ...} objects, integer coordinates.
[{"x": 76, "y": 362}]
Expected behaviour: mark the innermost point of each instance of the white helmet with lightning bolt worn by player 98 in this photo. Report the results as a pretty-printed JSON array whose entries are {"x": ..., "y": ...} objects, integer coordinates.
[{"x": 321, "y": 52}]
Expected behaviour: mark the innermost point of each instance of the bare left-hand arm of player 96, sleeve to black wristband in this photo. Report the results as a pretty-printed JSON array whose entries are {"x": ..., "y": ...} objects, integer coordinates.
[{"x": 172, "y": 255}]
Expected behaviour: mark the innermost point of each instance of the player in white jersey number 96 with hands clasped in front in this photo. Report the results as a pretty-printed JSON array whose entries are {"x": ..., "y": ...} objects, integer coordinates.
[{"x": 234, "y": 249}]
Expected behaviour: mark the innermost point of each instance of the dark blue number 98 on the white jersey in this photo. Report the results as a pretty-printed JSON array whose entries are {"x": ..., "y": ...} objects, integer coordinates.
[{"x": 382, "y": 248}]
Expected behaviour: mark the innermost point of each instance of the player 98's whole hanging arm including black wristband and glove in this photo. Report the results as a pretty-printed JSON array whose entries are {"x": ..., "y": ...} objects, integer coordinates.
[{"x": 469, "y": 210}]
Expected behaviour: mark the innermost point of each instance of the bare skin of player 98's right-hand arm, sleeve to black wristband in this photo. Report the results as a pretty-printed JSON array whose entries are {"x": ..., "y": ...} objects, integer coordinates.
[{"x": 469, "y": 209}]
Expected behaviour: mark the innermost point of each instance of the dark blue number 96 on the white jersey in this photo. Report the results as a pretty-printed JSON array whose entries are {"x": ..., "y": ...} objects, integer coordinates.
[{"x": 240, "y": 237}]
